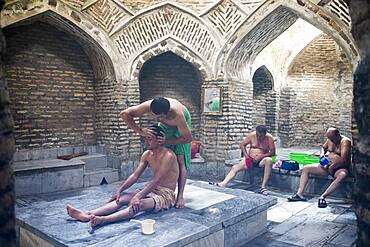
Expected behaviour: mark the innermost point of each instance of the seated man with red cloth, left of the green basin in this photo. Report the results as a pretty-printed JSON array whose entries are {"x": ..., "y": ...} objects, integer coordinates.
[{"x": 262, "y": 147}]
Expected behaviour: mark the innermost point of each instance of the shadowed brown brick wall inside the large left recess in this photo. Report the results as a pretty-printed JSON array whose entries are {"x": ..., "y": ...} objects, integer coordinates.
[{"x": 51, "y": 86}]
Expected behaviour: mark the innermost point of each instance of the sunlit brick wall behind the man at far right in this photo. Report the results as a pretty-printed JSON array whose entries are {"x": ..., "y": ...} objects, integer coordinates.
[{"x": 321, "y": 79}]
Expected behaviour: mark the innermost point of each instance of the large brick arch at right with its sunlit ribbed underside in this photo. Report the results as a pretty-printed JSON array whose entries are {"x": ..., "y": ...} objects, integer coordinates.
[{"x": 274, "y": 18}]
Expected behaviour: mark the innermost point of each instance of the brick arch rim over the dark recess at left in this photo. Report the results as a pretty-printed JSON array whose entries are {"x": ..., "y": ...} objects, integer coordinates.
[{"x": 101, "y": 52}]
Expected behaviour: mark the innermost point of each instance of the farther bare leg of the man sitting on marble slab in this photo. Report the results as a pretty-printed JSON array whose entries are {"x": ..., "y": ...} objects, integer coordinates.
[{"x": 104, "y": 210}]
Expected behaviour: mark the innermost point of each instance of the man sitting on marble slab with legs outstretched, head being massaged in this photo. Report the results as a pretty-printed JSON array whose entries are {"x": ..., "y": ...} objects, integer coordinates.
[{"x": 157, "y": 194}]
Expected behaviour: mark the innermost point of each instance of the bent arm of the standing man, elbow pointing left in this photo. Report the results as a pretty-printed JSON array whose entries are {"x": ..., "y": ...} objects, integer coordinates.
[{"x": 135, "y": 111}]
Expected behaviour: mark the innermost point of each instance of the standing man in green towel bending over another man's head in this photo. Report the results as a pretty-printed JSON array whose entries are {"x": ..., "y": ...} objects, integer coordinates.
[{"x": 174, "y": 118}]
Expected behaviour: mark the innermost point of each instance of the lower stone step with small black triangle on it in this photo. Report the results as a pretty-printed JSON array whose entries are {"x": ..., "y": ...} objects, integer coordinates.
[{"x": 100, "y": 176}]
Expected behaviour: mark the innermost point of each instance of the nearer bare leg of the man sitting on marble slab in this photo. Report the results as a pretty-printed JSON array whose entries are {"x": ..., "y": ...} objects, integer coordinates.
[{"x": 127, "y": 213}]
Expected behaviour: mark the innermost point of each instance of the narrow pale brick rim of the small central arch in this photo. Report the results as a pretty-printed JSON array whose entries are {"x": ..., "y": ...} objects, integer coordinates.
[{"x": 177, "y": 48}]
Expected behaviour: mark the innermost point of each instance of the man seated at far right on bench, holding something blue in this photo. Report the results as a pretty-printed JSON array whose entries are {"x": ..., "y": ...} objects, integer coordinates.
[{"x": 338, "y": 150}]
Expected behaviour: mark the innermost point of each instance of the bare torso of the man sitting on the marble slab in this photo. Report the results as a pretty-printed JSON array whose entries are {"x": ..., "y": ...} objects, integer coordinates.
[{"x": 164, "y": 165}]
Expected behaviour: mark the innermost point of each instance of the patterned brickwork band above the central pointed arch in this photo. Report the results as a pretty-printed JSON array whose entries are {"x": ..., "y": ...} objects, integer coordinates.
[{"x": 160, "y": 22}]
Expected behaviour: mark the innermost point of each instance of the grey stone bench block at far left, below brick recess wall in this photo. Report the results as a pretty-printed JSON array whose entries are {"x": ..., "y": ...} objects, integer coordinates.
[{"x": 47, "y": 175}]
